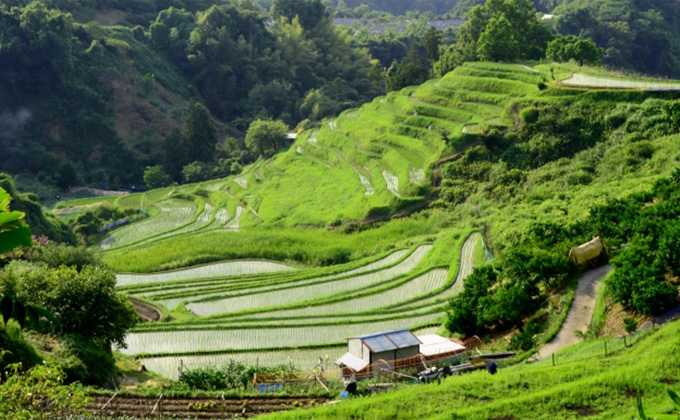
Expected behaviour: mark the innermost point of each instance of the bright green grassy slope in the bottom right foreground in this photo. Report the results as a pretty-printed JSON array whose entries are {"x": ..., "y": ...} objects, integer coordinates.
[{"x": 604, "y": 387}]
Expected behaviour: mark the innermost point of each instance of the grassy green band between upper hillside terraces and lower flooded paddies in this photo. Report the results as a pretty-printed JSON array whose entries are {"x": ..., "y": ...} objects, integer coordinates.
[{"x": 307, "y": 246}]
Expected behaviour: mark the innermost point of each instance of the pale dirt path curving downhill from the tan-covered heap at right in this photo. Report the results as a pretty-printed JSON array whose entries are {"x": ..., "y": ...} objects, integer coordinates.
[{"x": 580, "y": 314}]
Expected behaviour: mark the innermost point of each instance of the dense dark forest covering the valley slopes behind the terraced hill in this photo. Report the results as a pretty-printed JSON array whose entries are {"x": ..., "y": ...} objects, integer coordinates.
[{"x": 96, "y": 91}]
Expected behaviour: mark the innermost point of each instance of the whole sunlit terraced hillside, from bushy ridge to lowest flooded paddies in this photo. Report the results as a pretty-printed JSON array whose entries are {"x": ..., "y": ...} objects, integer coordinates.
[{"x": 494, "y": 143}]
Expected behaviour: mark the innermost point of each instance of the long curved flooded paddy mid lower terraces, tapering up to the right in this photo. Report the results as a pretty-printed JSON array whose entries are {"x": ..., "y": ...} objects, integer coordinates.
[{"x": 306, "y": 293}]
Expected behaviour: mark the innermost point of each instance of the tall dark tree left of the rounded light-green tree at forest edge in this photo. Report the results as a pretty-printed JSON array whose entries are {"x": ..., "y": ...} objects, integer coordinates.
[{"x": 200, "y": 136}]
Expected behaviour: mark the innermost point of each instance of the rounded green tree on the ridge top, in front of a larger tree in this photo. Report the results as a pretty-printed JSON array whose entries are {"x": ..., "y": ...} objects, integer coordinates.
[{"x": 498, "y": 42}]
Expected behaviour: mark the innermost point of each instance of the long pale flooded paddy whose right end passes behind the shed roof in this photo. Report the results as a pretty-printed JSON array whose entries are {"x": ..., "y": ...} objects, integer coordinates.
[{"x": 249, "y": 338}]
